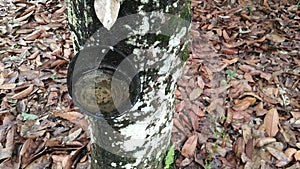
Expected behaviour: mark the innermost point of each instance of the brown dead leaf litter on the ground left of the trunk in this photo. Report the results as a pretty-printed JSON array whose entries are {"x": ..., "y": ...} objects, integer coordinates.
[{"x": 39, "y": 128}]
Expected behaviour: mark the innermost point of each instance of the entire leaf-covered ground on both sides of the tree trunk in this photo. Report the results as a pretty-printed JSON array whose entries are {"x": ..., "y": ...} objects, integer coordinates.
[{"x": 238, "y": 100}]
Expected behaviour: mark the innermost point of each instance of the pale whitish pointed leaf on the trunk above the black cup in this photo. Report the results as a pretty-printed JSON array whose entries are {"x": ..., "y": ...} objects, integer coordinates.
[{"x": 107, "y": 11}]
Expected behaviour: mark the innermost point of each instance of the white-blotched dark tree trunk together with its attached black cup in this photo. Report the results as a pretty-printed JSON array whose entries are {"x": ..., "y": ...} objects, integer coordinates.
[{"x": 124, "y": 78}]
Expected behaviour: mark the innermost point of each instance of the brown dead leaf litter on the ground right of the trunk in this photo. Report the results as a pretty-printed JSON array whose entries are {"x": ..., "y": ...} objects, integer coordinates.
[{"x": 238, "y": 98}]
